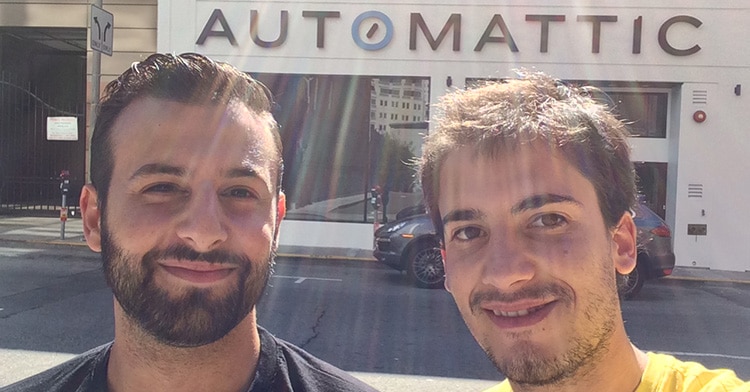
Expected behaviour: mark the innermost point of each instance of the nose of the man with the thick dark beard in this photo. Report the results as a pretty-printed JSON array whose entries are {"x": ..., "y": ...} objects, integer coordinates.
[{"x": 202, "y": 225}]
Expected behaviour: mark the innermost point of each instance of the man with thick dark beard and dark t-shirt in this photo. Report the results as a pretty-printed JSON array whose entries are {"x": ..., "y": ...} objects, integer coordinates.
[{"x": 185, "y": 204}]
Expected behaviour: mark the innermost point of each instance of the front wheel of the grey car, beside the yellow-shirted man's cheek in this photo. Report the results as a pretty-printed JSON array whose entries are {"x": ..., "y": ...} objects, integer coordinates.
[{"x": 425, "y": 265}]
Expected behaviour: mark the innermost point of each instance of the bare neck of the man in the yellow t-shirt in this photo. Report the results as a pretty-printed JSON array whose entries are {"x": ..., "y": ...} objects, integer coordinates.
[{"x": 619, "y": 369}]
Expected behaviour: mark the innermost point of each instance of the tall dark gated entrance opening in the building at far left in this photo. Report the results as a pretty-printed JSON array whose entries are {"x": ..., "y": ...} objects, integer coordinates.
[{"x": 42, "y": 75}]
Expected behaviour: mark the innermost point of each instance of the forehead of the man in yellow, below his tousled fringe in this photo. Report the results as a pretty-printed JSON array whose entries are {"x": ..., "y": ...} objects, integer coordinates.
[{"x": 471, "y": 179}]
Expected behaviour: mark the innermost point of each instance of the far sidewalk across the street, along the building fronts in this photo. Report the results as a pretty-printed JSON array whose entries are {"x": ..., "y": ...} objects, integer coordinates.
[{"x": 46, "y": 230}]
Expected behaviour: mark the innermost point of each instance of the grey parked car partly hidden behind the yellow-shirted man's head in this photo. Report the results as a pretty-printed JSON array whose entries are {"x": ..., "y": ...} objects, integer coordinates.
[{"x": 410, "y": 244}]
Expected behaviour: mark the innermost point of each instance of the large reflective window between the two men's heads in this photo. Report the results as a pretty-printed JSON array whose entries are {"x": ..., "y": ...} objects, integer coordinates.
[{"x": 339, "y": 144}]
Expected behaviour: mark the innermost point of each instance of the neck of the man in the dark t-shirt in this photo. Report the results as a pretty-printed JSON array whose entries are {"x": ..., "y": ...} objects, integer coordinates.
[{"x": 138, "y": 362}]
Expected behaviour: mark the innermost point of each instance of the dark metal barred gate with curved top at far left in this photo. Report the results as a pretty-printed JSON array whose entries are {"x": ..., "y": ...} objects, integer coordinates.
[{"x": 30, "y": 165}]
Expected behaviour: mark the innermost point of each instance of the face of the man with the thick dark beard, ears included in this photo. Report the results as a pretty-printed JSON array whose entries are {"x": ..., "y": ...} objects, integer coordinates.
[{"x": 191, "y": 219}]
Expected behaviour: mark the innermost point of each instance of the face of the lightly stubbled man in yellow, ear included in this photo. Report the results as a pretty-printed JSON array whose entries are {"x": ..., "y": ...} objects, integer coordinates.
[{"x": 530, "y": 262}]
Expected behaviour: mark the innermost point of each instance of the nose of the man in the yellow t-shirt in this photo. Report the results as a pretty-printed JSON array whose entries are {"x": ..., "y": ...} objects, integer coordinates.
[{"x": 508, "y": 265}]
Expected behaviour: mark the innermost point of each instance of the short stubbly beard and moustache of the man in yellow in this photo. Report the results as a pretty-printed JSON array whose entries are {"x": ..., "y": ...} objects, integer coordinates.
[{"x": 527, "y": 364}]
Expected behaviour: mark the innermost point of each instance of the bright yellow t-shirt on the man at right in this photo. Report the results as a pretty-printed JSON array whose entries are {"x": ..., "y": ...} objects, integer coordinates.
[{"x": 665, "y": 373}]
